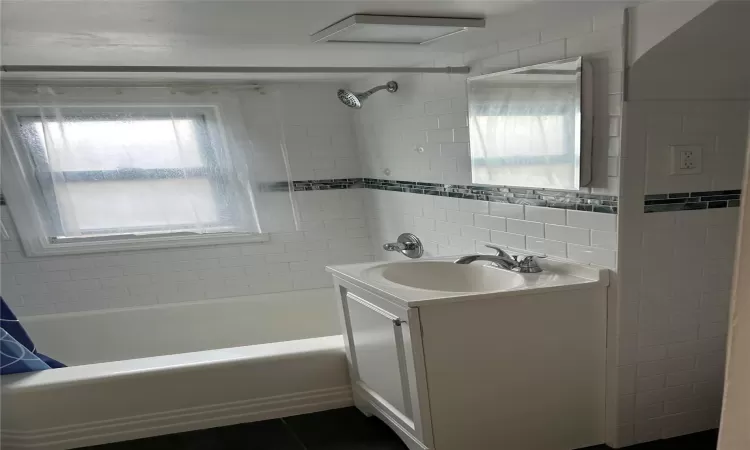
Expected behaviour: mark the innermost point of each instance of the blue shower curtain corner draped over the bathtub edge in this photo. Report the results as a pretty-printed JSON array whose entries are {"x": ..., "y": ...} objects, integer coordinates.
[{"x": 17, "y": 351}]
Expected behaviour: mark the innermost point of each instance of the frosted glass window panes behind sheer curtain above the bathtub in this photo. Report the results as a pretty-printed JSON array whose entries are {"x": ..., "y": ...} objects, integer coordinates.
[{"x": 108, "y": 173}]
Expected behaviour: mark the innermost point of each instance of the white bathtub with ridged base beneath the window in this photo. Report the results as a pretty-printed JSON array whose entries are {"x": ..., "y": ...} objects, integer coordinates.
[{"x": 155, "y": 370}]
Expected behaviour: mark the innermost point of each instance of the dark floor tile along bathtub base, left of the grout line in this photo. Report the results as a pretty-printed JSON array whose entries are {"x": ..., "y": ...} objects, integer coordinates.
[{"x": 265, "y": 435}]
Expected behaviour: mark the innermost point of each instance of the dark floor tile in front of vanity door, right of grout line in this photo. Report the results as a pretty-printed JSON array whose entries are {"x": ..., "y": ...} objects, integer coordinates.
[{"x": 343, "y": 429}]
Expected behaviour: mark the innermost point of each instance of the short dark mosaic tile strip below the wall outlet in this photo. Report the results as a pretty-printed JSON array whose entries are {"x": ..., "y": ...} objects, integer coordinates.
[{"x": 686, "y": 201}]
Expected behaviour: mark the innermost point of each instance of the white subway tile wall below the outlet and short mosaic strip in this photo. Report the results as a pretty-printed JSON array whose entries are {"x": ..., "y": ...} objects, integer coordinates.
[{"x": 681, "y": 325}]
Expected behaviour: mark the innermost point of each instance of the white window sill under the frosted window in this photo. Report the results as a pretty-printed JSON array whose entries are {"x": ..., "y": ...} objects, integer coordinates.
[{"x": 143, "y": 243}]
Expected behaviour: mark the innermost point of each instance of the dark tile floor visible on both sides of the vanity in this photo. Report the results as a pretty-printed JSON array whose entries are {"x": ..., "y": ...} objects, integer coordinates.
[{"x": 338, "y": 429}]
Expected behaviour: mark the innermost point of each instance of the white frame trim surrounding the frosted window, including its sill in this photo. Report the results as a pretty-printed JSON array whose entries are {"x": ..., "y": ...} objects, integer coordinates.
[{"x": 17, "y": 185}]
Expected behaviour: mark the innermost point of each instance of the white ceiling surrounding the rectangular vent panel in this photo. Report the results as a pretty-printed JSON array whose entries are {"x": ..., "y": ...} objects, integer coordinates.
[{"x": 225, "y": 33}]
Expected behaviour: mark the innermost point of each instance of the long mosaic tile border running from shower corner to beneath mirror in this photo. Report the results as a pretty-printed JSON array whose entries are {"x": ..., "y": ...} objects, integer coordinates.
[{"x": 500, "y": 194}]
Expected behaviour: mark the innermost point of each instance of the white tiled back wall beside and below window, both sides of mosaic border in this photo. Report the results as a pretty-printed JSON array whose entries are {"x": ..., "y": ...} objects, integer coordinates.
[{"x": 333, "y": 230}]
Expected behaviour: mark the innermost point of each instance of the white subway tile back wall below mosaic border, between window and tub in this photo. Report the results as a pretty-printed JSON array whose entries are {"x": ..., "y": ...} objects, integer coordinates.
[{"x": 290, "y": 261}]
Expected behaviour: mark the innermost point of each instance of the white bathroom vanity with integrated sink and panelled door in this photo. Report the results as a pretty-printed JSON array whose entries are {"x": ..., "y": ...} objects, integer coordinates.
[{"x": 459, "y": 357}]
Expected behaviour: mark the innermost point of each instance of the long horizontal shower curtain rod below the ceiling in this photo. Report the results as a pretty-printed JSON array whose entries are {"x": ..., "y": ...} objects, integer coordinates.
[{"x": 230, "y": 69}]
